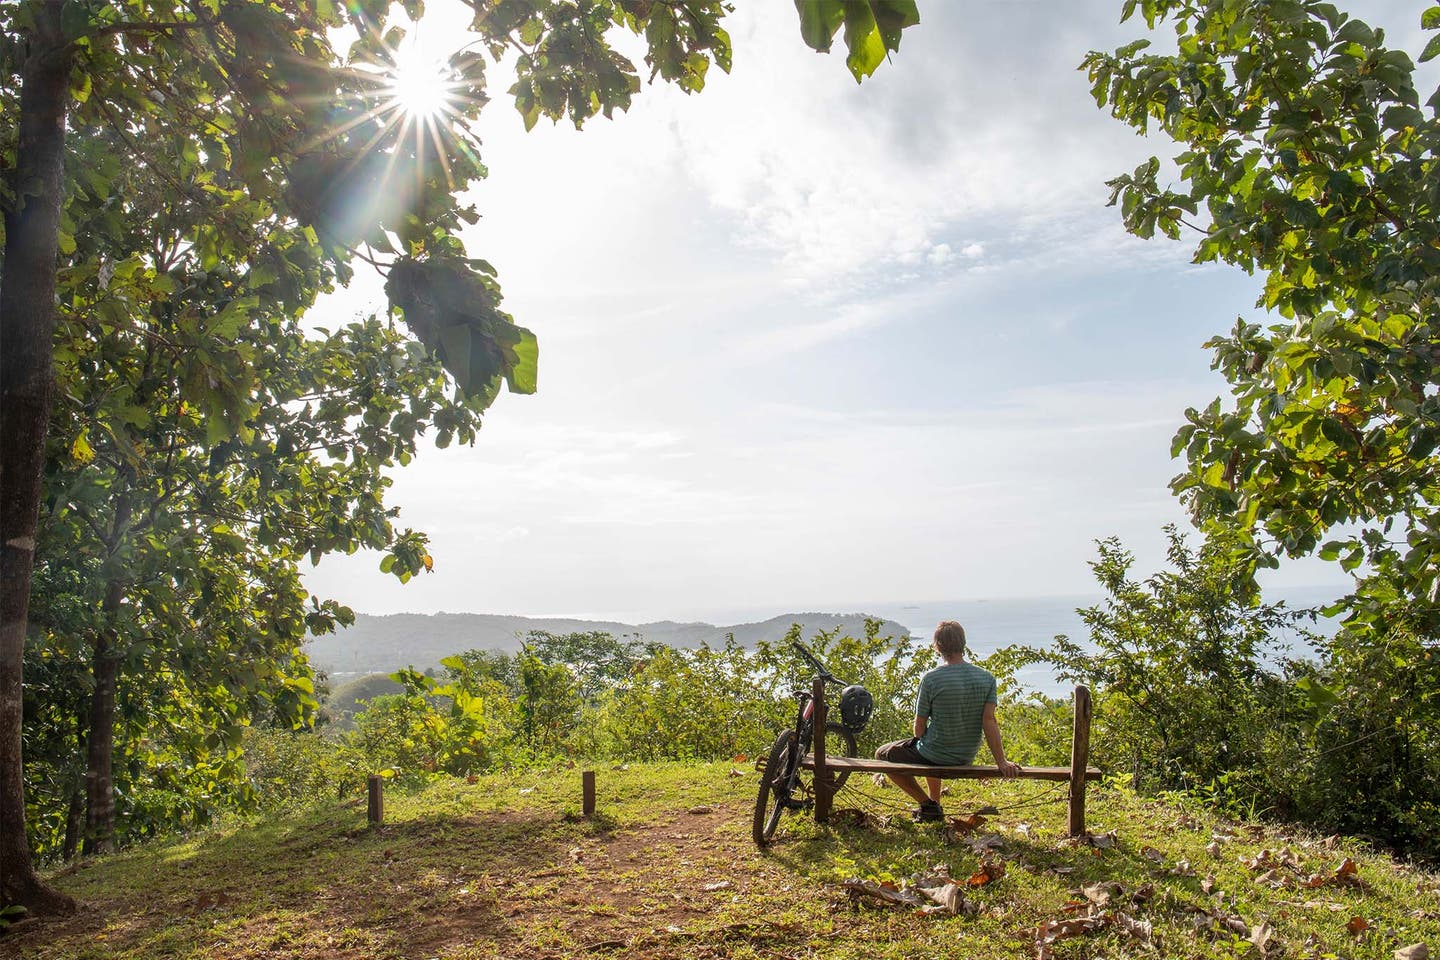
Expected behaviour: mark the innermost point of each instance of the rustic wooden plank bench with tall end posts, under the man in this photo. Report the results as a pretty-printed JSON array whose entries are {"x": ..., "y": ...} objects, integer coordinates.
[{"x": 1078, "y": 774}]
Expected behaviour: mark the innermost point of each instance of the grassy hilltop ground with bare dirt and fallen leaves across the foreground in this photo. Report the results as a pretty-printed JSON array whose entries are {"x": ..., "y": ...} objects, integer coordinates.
[{"x": 505, "y": 867}]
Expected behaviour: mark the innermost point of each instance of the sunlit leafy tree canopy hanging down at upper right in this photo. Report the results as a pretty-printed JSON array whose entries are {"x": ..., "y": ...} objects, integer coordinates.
[{"x": 1310, "y": 159}]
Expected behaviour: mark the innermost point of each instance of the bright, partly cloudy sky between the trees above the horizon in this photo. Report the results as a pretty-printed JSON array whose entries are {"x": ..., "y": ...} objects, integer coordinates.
[{"x": 811, "y": 345}]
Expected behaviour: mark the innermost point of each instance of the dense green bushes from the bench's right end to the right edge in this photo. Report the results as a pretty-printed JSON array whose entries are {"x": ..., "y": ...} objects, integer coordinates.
[{"x": 1193, "y": 693}]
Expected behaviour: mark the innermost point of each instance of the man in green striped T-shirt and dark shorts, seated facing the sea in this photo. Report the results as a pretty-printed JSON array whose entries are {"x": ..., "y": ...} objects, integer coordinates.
[{"x": 957, "y": 705}]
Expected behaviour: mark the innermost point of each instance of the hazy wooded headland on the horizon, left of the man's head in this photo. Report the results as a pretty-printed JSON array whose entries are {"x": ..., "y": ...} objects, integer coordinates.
[{"x": 384, "y": 644}]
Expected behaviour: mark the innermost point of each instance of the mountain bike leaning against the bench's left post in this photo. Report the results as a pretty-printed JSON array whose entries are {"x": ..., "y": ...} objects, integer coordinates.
[{"x": 784, "y": 784}]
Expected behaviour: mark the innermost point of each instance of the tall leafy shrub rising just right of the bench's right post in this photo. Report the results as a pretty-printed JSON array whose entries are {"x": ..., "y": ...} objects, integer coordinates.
[{"x": 1183, "y": 664}]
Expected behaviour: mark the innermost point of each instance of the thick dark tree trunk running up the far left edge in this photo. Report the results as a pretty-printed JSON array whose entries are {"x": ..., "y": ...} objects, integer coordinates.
[{"x": 27, "y": 345}]
